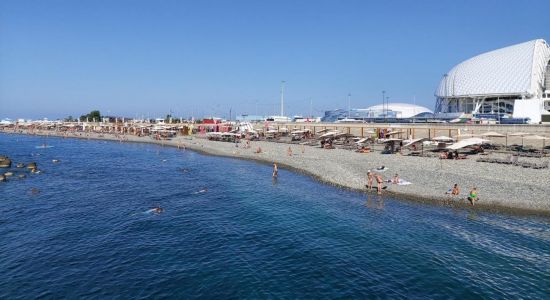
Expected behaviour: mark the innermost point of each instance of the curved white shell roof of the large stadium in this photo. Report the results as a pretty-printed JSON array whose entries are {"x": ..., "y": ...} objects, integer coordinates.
[{"x": 514, "y": 70}]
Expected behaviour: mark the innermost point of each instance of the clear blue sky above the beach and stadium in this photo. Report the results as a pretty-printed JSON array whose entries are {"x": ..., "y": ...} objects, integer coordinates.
[{"x": 145, "y": 58}]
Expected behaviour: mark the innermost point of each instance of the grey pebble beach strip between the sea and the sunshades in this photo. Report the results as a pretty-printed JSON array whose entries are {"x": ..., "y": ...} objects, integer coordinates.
[{"x": 347, "y": 170}]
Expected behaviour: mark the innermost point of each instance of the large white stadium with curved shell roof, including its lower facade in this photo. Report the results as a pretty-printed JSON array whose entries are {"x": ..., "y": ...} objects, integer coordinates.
[{"x": 511, "y": 82}]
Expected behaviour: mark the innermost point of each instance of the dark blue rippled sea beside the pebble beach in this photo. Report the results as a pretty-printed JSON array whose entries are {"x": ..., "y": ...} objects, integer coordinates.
[{"x": 81, "y": 230}]
